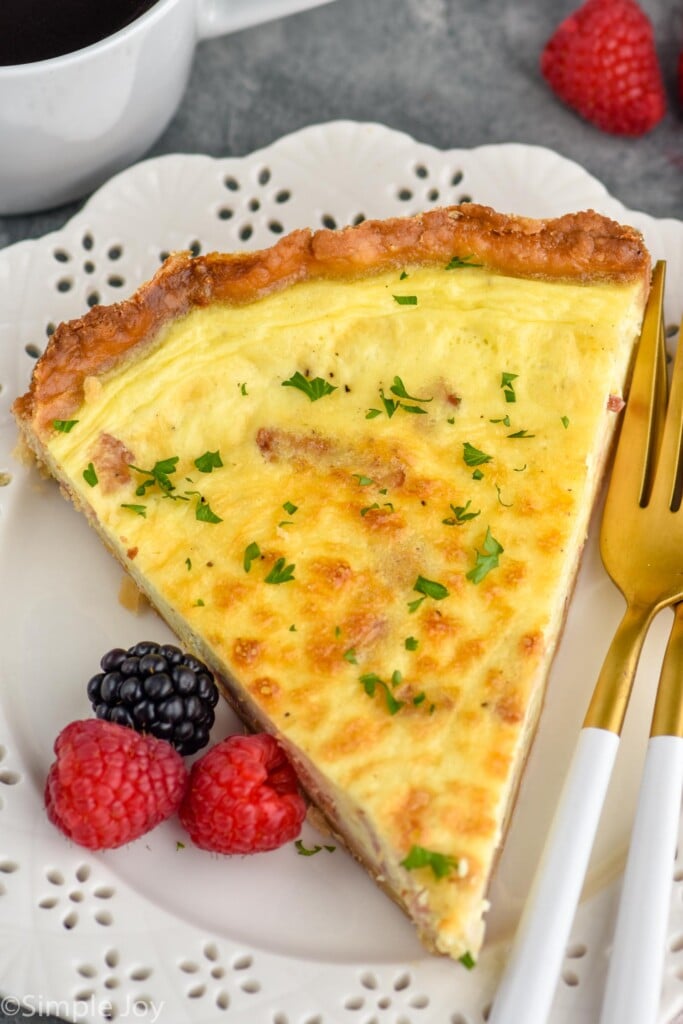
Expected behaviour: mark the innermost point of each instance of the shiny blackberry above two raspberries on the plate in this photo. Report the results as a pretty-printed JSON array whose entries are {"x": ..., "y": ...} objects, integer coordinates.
[{"x": 158, "y": 690}]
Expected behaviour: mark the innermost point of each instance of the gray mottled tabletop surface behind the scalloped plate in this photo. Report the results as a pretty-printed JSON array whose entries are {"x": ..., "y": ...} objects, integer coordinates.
[{"x": 451, "y": 73}]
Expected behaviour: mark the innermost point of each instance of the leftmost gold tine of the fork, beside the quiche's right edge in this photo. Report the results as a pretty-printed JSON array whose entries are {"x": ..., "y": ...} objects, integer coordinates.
[{"x": 644, "y": 417}]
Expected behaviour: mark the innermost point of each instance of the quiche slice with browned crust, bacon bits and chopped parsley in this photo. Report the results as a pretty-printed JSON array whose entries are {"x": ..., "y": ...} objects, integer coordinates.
[{"x": 355, "y": 474}]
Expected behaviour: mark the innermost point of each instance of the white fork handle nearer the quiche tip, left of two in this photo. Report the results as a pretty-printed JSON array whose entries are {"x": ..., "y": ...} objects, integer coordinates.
[{"x": 530, "y": 980}]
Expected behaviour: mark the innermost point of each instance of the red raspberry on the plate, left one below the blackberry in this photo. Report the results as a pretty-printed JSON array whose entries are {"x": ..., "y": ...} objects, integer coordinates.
[{"x": 109, "y": 785}]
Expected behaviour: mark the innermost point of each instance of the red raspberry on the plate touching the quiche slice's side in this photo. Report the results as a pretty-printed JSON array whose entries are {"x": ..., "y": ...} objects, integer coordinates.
[{"x": 243, "y": 797}]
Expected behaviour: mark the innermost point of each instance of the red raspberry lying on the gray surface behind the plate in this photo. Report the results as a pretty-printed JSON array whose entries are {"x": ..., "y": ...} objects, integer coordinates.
[{"x": 602, "y": 61}]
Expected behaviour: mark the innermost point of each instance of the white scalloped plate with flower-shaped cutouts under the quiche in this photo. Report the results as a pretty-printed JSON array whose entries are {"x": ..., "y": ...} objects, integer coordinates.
[{"x": 155, "y": 932}]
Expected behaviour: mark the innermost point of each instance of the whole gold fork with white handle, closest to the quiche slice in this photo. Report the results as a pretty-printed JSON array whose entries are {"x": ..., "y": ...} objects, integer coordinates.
[{"x": 642, "y": 543}]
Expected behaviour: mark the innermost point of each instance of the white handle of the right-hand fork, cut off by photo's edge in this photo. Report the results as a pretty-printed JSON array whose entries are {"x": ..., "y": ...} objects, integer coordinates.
[{"x": 634, "y": 983}]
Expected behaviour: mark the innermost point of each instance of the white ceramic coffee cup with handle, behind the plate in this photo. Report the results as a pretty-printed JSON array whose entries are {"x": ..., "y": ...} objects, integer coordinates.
[{"x": 68, "y": 123}]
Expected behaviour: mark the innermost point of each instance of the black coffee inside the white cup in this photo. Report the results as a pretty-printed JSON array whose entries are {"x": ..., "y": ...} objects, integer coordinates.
[{"x": 37, "y": 30}]
